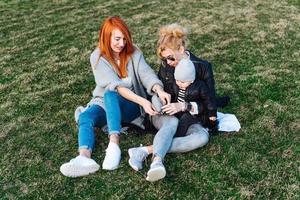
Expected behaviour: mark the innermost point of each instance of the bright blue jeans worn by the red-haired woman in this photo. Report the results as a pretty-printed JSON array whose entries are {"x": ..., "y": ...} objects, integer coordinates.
[{"x": 118, "y": 110}]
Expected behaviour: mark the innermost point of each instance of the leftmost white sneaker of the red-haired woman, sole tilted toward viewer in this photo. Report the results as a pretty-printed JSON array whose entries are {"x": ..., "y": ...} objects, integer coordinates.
[{"x": 79, "y": 166}]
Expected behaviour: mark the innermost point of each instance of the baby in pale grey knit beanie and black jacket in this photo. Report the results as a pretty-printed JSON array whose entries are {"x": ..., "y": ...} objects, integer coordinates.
[{"x": 190, "y": 92}]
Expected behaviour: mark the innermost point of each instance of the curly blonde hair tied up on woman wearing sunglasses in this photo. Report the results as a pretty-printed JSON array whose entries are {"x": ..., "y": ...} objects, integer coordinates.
[{"x": 171, "y": 36}]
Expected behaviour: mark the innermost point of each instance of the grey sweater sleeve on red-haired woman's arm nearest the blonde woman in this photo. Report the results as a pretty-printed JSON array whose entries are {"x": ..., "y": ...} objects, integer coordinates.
[{"x": 147, "y": 75}]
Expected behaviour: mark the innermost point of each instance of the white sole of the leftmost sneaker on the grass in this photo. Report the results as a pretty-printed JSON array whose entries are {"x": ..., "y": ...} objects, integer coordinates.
[{"x": 75, "y": 171}]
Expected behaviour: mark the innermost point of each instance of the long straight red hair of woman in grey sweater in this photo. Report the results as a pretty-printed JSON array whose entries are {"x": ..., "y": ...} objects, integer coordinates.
[{"x": 104, "y": 44}]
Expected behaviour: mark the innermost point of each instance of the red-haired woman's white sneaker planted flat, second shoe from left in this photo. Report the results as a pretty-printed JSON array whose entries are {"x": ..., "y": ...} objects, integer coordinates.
[{"x": 112, "y": 157}]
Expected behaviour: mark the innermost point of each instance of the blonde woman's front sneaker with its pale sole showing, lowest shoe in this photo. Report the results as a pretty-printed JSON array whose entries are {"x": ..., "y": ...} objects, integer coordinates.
[{"x": 157, "y": 171}]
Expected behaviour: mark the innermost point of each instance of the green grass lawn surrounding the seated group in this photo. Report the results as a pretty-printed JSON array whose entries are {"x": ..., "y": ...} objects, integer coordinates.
[{"x": 45, "y": 74}]
